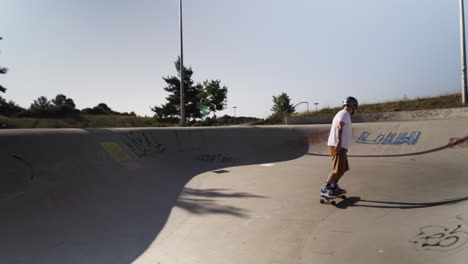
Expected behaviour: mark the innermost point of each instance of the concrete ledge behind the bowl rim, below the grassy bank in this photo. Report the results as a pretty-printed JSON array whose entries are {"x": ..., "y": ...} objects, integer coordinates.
[{"x": 387, "y": 116}]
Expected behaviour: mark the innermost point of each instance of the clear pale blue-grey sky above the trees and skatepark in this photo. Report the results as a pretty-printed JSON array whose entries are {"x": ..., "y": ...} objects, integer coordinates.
[{"x": 117, "y": 51}]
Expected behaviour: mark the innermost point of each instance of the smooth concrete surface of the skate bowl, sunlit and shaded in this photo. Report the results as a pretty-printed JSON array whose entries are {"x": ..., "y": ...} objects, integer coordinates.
[{"x": 234, "y": 195}]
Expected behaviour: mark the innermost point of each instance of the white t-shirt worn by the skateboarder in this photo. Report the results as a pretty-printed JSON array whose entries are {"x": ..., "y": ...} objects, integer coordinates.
[{"x": 345, "y": 117}]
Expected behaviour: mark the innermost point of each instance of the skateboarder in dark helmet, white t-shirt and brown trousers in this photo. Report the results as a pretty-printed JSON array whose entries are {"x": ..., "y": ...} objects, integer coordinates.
[{"x": 339, "y": 142}]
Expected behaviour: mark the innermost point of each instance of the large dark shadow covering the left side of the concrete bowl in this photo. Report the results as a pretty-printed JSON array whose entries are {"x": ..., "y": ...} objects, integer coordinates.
[{"x": 103, "y": 196}]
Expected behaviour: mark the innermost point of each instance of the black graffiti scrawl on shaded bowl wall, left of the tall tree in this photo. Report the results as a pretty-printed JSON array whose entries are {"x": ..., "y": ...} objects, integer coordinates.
[{"x": 142, "y": 144}]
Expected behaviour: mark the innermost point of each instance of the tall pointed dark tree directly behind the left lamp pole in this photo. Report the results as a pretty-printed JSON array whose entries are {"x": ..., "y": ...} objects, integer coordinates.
[{"x": 171, "y": 110}]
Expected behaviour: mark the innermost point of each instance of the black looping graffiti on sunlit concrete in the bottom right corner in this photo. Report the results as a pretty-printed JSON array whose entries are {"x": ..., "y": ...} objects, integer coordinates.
[{"x": 440, "y": 238}]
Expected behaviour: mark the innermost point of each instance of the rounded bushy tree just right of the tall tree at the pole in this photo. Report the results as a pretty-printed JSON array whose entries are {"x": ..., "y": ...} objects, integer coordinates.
[{"x": 212, "y": 97}]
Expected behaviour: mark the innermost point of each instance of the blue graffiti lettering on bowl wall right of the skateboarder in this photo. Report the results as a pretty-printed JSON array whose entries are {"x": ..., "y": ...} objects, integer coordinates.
[{"x": 391, "y": 138}]
